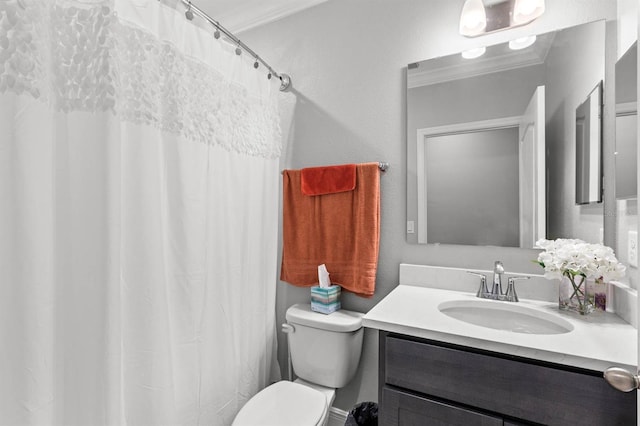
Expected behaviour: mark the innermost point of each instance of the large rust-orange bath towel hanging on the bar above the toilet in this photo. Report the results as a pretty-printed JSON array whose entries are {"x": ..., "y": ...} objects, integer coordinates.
[{"x": 341, "y": 230}]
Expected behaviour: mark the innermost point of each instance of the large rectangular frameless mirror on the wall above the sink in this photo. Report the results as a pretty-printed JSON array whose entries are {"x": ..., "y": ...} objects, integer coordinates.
[{"x": 457, "y": 195}]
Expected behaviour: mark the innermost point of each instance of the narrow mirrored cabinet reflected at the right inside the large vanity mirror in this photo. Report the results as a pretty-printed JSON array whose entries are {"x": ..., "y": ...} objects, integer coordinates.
[{"x": 589, "y": 148}]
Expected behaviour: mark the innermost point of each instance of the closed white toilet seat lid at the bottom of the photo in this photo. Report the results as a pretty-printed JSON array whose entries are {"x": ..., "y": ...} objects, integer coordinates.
[{"x": 284, "y": 404}]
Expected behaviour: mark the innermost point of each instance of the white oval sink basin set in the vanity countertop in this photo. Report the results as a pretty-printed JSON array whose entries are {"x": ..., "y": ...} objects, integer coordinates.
[{"x": 505, "y": 316}]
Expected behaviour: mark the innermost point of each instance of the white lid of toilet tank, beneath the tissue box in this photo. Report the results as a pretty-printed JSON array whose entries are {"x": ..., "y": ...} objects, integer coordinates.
[{"x": 340, "y": 321}]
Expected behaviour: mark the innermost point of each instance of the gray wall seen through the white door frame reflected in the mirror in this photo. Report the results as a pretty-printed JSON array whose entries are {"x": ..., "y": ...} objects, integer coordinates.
[{"x": 473, "y": 188}]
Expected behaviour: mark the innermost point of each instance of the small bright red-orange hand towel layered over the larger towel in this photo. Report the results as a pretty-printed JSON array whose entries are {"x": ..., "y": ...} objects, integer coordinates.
[{"x": 328, "y": 180}]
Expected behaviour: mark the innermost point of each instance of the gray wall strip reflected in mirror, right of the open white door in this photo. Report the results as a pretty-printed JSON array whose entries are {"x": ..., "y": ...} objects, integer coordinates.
[{"x": 572, "y": 74}]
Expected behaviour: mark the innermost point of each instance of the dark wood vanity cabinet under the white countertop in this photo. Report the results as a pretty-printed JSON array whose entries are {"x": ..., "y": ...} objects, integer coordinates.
[{"x": 425, "y": 382}]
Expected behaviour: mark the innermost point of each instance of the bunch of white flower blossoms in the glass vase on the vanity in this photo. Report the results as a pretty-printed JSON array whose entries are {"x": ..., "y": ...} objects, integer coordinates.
[{"x": 571, "y": 258}]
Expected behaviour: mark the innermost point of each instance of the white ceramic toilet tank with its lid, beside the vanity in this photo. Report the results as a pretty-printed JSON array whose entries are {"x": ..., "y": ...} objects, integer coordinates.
[{"x": 325, "y": 349}]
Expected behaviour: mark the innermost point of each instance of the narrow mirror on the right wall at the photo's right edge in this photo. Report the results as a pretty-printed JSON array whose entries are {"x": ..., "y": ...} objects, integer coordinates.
[{"x": 626, "y": 124}]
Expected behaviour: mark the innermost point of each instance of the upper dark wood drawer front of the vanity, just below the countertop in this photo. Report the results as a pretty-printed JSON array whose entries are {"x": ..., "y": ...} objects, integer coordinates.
[{"x": 544, "y": 394}]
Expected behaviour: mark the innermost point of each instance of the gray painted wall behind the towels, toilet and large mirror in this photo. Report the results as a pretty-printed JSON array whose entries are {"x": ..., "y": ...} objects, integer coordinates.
[{"x": 347, "y": 59}]
